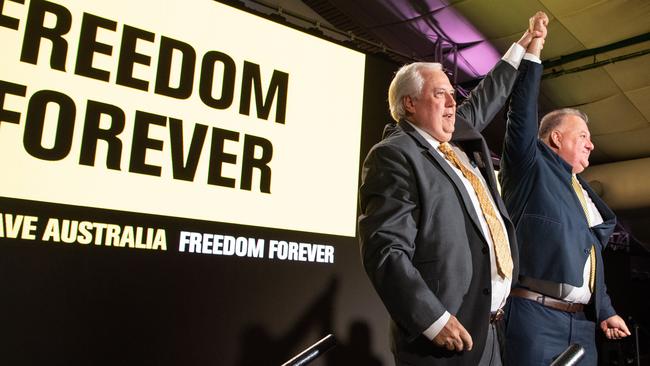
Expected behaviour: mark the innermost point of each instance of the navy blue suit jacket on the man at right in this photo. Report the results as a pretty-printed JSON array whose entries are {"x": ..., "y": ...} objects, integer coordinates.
[{"x": 553, "y": 235}]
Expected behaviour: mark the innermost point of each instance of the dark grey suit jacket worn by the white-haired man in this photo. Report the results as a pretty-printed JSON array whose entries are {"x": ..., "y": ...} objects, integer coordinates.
[{"x": 421, "y": 241}]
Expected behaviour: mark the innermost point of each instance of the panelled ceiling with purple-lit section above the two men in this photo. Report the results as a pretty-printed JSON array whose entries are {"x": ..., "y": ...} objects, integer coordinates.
[{"x": 596, "y": 58}]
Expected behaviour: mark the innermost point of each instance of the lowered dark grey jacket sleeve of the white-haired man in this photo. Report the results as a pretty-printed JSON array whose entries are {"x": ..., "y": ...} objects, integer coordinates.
[{"x": 388, "y": 230}]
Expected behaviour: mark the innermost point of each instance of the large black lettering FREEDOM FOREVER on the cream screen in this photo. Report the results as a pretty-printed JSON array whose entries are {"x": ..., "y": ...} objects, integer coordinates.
[{"x": 46, "y": 33}]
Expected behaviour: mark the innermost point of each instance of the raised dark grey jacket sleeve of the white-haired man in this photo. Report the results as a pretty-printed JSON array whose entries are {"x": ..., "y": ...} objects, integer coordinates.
[{"x": 487, "y": 99}]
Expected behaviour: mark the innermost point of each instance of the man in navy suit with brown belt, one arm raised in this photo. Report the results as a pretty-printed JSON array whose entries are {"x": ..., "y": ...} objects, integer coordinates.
[{"x": 562, "y": 228}]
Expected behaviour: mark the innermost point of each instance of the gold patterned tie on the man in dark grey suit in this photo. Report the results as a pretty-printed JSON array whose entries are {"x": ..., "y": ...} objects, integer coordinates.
[{"x": 499, "y": 239}]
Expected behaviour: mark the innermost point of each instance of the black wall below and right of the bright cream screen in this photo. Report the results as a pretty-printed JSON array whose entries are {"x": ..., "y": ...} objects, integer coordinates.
[{"x": 73, "y": 304}]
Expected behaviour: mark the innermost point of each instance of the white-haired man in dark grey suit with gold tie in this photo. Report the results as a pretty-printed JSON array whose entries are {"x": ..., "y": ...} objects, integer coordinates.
[{"x": 436, "y": 241}]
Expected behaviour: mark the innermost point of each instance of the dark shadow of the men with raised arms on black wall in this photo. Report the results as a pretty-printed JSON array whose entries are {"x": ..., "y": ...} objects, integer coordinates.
[{"x": 259, "y": 347}]
